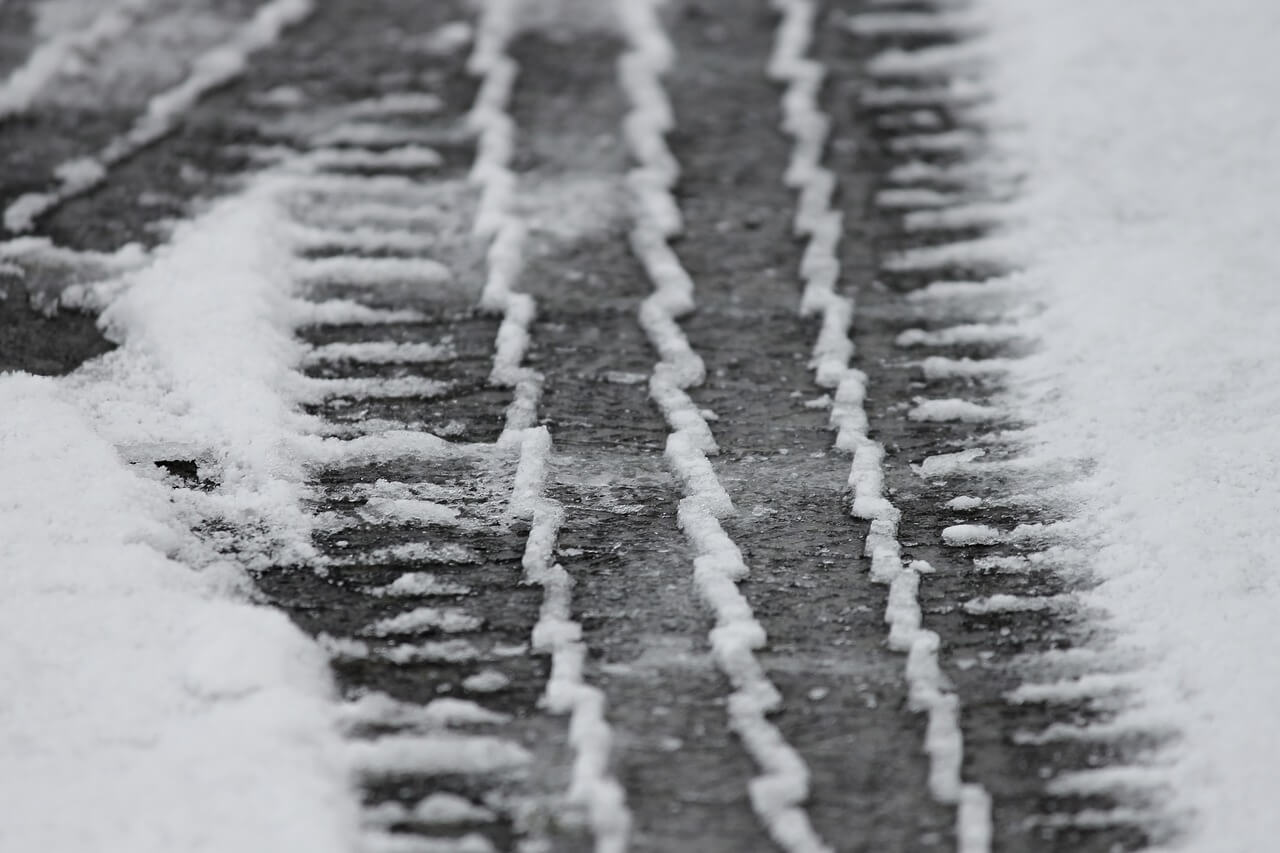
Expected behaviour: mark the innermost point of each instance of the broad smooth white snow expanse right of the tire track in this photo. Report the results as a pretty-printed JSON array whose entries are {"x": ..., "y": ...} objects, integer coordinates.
[{"x": 1151, "y": 138}]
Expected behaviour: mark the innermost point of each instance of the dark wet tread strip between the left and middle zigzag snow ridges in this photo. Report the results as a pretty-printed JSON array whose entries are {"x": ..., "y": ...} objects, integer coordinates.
[{"x": 684, "y": 772}]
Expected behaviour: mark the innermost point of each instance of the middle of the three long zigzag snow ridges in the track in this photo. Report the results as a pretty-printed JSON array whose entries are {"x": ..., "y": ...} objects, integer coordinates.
[{"x": 778, "y": 795}]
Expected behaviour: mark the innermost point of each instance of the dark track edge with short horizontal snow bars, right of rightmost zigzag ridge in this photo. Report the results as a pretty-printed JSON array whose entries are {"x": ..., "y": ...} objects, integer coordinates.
[{"x": 1050, "y": 740}]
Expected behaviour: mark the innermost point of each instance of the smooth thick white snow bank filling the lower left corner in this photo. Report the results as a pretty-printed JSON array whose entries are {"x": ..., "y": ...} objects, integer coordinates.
[{"x": 141, "y": 708}]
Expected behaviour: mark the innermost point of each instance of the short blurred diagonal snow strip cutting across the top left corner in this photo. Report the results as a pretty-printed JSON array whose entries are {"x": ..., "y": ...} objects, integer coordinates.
[{"x": 25, "y": 84}]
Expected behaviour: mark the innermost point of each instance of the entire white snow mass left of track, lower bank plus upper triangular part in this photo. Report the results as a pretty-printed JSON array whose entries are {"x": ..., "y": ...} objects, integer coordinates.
[{"x": 145, "y": 706}]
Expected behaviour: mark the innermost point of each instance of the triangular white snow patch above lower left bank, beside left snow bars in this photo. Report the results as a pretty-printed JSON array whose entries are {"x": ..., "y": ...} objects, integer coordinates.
[{"x": 205, "y": 370}]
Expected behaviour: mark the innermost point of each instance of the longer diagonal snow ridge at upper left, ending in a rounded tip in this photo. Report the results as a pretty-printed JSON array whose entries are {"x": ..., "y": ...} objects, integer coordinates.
[{"x": 163, "y": 113}]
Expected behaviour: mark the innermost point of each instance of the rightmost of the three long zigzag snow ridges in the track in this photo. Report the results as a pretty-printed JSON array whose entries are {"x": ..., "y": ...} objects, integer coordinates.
[{"x": 806, "y": 122}]
